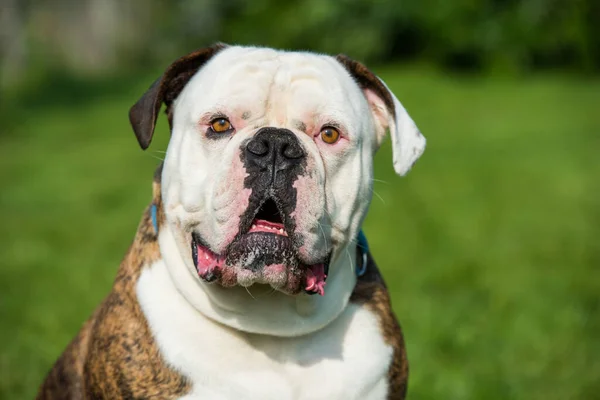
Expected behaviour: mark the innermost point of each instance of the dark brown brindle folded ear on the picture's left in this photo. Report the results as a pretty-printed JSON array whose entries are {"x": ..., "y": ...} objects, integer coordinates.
[{"x": 165, "y": 89}]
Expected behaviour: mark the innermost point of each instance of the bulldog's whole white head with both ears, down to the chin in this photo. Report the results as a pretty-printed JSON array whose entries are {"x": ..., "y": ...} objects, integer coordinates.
[{"x": 268, "y": 173}]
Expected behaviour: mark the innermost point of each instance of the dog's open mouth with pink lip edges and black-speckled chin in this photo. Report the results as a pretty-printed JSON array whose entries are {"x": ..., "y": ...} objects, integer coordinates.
[{"x": 266, "y": 254}]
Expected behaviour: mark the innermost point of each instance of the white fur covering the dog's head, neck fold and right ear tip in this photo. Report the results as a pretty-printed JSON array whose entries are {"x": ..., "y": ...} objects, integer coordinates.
[{"x": 202, "y": 180}]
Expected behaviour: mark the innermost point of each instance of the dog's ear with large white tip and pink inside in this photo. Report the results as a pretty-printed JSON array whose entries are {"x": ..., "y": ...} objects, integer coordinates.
[{"x": 407, "y": 141}]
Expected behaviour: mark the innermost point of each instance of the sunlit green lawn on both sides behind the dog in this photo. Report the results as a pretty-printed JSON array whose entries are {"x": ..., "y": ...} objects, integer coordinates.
[{"x": 489, "y": 246}]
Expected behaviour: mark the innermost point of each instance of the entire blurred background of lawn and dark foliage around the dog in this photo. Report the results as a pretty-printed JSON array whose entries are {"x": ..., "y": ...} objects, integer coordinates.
[{"x": 489, "y": 246}]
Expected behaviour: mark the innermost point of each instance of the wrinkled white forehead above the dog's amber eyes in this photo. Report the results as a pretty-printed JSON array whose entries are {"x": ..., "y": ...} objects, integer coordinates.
[{"x": 274, "y": 84}]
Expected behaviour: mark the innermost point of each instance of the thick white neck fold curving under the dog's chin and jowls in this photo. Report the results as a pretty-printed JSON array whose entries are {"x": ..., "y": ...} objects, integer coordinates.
[{"x": 260, "y": 311}]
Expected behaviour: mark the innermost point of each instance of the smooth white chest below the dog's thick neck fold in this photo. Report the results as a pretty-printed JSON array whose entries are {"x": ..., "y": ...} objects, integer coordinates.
[{"x": 346, "y": 360}]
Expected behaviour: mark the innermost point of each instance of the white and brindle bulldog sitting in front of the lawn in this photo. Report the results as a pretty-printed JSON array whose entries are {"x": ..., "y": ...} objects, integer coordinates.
[{"x": 249, "y": 276}]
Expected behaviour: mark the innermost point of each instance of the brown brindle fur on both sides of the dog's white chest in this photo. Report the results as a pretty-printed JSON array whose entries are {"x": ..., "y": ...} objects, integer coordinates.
[{"x": 114, "y": 356}]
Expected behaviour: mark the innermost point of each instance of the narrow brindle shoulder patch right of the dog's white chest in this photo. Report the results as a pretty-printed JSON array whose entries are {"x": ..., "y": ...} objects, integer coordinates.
[{"x": 371, "y": 292}]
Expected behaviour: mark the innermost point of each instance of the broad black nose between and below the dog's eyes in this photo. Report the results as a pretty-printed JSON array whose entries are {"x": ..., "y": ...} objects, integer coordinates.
[{"x": 274, "y": 149}]
